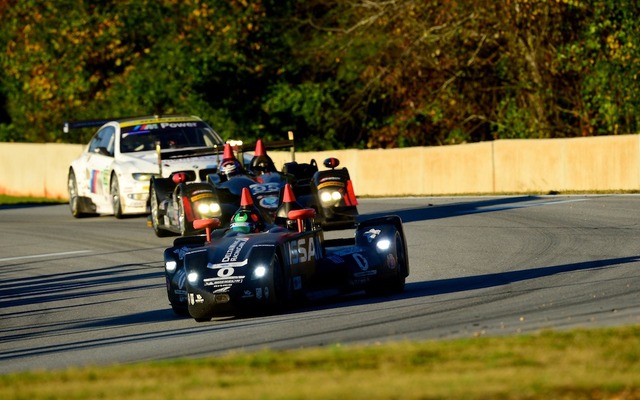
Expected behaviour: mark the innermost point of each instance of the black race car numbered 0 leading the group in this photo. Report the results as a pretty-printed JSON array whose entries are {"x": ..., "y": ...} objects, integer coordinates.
[{"x": 228, "y": 271}]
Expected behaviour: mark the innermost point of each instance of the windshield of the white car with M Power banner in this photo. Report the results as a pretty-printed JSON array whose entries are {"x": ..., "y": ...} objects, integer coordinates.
[{"x": 171, "y": 136}]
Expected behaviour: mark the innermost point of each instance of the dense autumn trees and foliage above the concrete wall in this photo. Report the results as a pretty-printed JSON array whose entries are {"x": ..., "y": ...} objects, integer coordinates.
[{"x": 340, "y": 73}]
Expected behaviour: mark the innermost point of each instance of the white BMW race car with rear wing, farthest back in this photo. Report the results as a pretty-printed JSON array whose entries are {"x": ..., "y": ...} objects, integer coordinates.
[{"x": 113, "y": 173}]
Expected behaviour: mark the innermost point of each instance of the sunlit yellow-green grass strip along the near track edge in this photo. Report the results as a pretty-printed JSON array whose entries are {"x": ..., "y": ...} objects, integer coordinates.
[{"x": 579, "y": 364}]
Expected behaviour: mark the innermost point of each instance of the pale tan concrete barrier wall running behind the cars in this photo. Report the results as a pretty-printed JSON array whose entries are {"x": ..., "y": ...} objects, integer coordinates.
[{"x": 503, "y": 166}]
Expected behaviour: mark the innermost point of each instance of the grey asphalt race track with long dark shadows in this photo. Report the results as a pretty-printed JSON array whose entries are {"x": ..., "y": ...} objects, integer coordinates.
[{"x": 90, "y": 291}]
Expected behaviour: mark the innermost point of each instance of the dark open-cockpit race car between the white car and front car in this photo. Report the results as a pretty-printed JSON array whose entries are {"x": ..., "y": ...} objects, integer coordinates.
[{"x": 176, "y": 202}]
